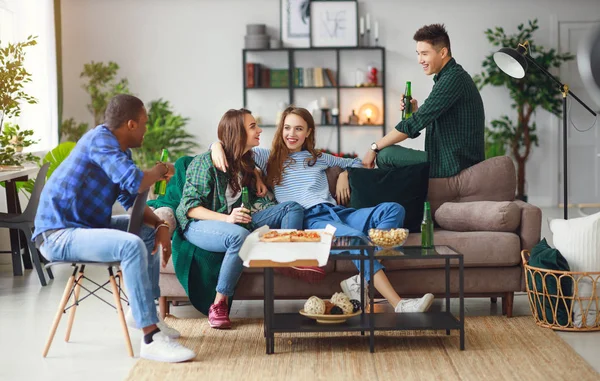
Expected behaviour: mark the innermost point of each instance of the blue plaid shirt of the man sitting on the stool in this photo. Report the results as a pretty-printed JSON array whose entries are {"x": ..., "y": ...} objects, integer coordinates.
[{"x": 82, "y": 190}]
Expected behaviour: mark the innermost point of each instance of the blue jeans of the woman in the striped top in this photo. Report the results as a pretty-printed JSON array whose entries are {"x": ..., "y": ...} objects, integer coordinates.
[{"x": 355, "y": 222}]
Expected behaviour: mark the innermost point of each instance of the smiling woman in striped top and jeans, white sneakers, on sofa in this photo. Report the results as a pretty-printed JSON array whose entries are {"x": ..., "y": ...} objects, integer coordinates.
[{"x": 296, "y": 172}]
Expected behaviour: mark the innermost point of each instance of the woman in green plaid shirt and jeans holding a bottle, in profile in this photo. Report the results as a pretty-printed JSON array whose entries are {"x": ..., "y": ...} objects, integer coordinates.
[{"x": 210, "y": 211}]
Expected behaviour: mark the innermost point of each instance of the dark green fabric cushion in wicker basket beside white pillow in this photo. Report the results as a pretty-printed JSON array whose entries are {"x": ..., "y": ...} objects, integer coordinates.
[{"x": 545, "y": 257}]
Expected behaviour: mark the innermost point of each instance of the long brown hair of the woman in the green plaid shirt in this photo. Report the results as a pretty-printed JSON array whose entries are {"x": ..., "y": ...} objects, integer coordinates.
[{"x": 232, "y": 134}]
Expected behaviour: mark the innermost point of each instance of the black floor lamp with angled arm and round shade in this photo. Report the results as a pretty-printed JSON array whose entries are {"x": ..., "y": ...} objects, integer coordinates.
[{"x": 514, "y": 63}]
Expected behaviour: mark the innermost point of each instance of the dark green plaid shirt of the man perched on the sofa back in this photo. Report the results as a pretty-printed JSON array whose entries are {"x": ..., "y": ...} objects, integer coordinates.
[{"x": 454, "y": 118}]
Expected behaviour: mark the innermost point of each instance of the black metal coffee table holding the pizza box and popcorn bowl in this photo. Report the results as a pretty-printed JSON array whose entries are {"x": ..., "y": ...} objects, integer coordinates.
[{"x": 371, "y": 322}]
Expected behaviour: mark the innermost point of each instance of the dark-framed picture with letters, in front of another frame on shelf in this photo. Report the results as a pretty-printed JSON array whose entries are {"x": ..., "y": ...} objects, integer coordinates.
[{"x": 333, "y": 23}]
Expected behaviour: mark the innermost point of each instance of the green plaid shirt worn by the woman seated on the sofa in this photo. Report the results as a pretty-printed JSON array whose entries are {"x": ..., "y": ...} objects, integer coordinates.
[{"x": 205, "y": 186}]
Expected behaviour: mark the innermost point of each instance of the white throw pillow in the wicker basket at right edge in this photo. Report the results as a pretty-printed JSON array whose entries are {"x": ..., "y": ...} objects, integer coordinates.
[{"x": 578, "y": 239}]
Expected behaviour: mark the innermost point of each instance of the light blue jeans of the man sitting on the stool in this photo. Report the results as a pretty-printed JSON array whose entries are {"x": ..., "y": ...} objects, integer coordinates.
[{"x": 140, "y": 267}]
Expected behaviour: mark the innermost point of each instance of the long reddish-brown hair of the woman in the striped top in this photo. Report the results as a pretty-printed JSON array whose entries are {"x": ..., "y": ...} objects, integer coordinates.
[{"x": 279, "y": 151}]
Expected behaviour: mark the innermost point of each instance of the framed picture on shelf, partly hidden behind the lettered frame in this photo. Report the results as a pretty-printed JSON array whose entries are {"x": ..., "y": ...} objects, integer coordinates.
[{"x": 295, "y": 23}]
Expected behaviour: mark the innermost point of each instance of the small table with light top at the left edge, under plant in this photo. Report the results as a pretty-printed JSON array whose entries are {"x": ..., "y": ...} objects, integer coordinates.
[{"x": 13, "y": 206}]
